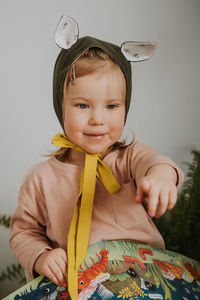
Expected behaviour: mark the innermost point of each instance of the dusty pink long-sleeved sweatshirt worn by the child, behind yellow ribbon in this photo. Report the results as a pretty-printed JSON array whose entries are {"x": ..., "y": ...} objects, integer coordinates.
[{"x": 47, "y": 197}]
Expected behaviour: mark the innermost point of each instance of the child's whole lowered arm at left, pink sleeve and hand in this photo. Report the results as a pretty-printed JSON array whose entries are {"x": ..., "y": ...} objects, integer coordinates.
[{"x": 29, "y": 241}]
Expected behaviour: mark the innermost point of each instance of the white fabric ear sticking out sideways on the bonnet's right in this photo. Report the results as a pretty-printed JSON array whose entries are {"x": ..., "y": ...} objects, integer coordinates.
[{"x": 138, "y": 51}]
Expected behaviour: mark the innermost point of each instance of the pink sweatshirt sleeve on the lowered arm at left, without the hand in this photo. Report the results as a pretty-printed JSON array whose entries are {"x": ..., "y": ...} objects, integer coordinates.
[{"x": 28, "y": 231}]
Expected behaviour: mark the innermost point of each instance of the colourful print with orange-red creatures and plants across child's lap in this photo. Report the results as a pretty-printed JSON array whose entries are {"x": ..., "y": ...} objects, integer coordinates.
[{"x": 124, "y": 270}]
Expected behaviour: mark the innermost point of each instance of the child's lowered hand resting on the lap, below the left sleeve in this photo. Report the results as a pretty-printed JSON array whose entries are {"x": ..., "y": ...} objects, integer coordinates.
[{"x": 53, "y": 264}]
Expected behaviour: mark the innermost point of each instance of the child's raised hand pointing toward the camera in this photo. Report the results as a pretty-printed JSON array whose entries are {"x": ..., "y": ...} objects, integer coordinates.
[{"x": 158, "y": 190}]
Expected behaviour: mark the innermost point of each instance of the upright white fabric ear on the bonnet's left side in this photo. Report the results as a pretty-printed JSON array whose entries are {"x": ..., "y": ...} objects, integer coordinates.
[{"x": 66, "y": 32}]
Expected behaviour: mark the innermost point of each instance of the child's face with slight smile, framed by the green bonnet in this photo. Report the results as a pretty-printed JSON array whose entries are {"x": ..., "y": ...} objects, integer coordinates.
[{"x": 94, "y": 110}]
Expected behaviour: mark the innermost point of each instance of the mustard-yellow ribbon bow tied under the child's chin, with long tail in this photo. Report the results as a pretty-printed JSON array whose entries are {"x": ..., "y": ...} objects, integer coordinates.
[{"x": 79, "y": 231}]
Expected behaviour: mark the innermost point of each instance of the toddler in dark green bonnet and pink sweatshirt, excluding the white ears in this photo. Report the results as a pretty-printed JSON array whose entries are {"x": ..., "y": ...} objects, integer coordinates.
[{"x": 92, "y": 90}]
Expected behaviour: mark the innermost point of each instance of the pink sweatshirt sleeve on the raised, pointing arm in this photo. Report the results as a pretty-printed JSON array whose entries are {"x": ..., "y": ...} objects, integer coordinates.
[{"x": 144, "y": 157}]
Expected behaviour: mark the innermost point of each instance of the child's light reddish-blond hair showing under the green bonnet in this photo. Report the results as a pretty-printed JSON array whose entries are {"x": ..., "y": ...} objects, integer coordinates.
[{"x": 90, "y": 61}]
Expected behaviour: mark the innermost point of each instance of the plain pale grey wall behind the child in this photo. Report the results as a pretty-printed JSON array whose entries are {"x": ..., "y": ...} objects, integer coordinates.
[{"x": 165, "y": 103}]
